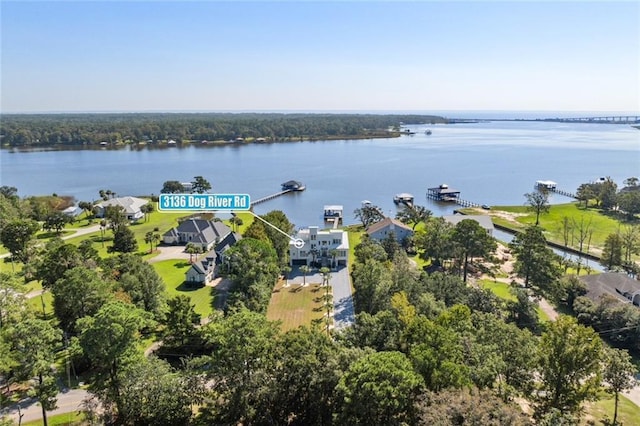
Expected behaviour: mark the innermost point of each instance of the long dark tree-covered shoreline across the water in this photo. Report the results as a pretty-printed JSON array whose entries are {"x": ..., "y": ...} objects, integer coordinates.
[{"x": 19, "y": 130}]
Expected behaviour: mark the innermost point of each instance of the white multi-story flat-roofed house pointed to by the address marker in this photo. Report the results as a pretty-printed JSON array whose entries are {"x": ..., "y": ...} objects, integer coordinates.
[{"x": 329, "y": 248}]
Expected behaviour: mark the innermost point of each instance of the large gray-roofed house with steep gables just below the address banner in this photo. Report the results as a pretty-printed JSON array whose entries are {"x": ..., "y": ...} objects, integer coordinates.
[{"x": 202, "y": 233}]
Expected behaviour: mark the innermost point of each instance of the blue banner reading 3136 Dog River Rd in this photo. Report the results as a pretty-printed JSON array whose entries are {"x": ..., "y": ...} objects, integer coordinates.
[{"x": 203, "y": 202}]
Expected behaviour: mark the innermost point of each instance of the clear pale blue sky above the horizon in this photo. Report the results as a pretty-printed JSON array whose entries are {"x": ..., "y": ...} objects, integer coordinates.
[{"x": 429, "y": 56}]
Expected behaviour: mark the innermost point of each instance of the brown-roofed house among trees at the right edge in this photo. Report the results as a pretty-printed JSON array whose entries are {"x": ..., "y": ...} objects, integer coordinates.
[{"x": 619, "y": 286}]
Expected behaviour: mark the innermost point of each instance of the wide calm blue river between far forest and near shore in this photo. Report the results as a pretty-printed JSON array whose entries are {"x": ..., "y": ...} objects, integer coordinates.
[{"x": 491, "y": 163}]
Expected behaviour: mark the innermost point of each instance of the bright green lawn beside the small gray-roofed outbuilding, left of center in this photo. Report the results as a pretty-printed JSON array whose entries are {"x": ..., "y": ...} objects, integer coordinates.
[{"x": 172, "y": 272}]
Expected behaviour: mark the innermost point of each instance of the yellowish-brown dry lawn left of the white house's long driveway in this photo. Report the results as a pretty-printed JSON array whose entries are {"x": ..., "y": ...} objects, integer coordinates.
[{"x": 295, "y": 305}]
